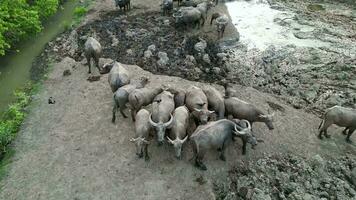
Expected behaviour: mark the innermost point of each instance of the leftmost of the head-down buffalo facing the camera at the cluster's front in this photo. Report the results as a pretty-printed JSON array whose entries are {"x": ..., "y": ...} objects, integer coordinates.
[{"x": 142, "y": 129}]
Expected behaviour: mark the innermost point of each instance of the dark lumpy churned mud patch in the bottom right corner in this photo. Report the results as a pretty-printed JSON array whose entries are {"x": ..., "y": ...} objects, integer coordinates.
[{"x": 290, "y": 177}]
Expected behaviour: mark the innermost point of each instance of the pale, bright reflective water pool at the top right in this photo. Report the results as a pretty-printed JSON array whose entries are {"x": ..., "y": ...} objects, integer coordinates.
[{"x": 255, "y": 21}]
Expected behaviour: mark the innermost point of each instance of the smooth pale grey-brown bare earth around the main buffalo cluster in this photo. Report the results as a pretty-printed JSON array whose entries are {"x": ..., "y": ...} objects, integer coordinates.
[{"x": 71, "y": 150}]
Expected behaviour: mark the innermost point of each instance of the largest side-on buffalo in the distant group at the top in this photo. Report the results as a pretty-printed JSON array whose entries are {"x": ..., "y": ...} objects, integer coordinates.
[{"x": 189, "y": 16}]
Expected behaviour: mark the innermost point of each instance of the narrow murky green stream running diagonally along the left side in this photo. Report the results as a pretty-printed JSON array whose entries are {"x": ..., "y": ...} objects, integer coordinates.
[{"x": 15, "y": 66}]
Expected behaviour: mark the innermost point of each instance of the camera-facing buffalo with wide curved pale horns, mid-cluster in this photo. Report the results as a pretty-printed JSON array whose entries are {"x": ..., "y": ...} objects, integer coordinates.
[{"x": 161, "y": 117}]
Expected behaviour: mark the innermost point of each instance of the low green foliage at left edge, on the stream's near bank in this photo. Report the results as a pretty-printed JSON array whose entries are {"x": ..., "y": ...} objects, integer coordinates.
[{"x": 13, "y": 117}]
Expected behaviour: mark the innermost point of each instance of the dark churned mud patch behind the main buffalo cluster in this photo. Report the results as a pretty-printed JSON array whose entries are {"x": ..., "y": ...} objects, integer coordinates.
[{"x": 126, "y": 38}]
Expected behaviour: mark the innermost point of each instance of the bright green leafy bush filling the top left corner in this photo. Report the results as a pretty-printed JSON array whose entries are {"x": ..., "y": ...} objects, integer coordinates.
[{"x": 20, "y": 19}]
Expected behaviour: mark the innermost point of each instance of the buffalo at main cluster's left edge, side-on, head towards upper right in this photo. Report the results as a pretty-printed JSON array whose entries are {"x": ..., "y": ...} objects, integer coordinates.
[{"x": 121, "y": 96}]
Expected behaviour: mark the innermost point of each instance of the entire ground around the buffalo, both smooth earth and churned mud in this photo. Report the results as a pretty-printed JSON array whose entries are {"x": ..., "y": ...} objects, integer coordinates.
[{"x": 71, "y": 150}]
